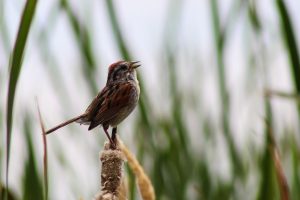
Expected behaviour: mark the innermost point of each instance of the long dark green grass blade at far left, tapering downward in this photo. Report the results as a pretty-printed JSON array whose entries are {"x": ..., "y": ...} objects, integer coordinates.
[{"x": 15, "y": 68}]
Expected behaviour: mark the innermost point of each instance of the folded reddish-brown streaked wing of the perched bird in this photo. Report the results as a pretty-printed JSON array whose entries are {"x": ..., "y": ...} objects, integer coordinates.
[{"x": 112, "y": 100}]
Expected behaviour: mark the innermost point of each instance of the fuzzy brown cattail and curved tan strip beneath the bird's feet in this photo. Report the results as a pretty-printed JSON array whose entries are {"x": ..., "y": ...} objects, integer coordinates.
[{"x": 112, "y": 182}]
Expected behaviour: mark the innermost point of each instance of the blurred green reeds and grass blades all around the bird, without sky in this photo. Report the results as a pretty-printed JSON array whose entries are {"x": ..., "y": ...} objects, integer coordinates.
[{"x": 177, "y": 168}]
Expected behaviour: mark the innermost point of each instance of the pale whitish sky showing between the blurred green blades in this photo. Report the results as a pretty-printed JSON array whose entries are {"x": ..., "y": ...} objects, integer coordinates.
[{"x": 143, "y": 24}]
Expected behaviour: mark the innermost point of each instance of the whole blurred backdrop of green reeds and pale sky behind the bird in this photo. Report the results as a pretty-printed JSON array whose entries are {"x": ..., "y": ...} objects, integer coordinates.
[{"x": 220, "y": 85}]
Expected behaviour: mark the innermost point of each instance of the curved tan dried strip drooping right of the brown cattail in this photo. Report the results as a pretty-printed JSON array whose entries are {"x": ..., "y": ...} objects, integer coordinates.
[{"x": 143, "y": 181}]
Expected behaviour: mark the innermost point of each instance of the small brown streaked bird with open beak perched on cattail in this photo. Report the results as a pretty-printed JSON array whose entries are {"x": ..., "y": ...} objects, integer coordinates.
[{"x": 113, "y": 103}]
